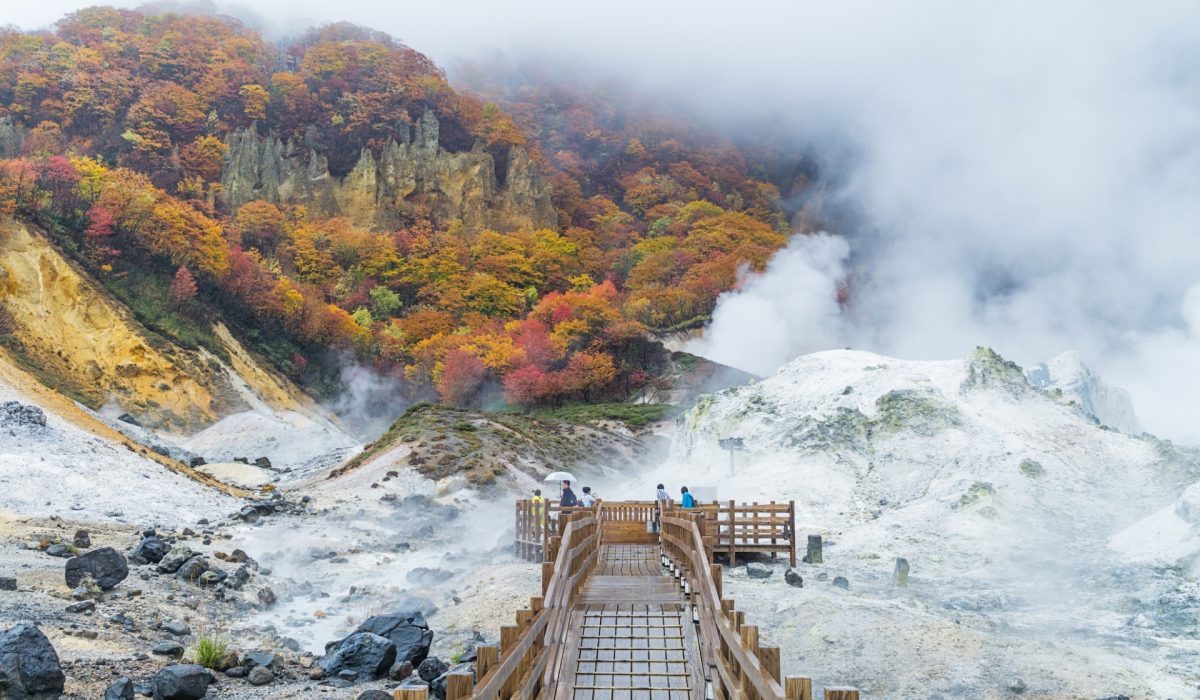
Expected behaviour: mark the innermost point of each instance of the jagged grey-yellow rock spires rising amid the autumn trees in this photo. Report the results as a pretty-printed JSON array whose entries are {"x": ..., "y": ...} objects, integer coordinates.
[{"x": 411, "y": 178}]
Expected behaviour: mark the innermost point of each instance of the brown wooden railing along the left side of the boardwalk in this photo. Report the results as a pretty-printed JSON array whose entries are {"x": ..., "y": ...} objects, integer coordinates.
[{"x": 525, "y": 665}]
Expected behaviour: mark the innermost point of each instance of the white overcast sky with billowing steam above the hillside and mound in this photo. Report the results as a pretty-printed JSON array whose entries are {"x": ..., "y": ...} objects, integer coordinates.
[{"x": 1028, "y": 172}]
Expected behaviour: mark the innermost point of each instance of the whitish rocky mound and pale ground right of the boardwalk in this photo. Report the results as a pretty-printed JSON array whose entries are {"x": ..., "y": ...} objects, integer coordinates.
[{"x": 1001, "y": 496}]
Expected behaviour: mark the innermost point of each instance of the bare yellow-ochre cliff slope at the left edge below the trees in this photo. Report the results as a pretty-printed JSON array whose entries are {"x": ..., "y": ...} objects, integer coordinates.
[{"x": 82, "y": 342}]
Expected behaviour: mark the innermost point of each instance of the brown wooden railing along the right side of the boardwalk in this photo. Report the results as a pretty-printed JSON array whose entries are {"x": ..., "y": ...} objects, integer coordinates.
[{"x": 736, "y": 666}]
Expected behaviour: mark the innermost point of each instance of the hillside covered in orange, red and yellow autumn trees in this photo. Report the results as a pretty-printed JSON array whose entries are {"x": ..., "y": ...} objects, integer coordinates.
[{"x": 337, "y": 198}]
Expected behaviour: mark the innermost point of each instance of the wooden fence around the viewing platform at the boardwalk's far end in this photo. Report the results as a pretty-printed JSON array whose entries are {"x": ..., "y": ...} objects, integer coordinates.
[{"x": 731, "y": 529}]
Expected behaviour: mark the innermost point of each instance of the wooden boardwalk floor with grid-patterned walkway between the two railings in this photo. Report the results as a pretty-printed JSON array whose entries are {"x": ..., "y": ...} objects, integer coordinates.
[{"x": 631, "y": 636}]
